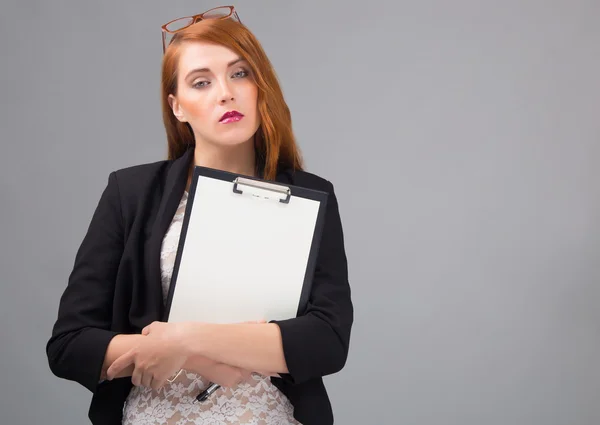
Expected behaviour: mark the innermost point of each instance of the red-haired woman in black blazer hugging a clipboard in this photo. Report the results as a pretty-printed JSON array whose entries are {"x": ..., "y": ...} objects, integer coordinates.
[{"x": 222, "y": 108}]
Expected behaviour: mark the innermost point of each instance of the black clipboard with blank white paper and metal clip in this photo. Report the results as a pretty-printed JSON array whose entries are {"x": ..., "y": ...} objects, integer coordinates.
[{"x": 247, "y": 249}]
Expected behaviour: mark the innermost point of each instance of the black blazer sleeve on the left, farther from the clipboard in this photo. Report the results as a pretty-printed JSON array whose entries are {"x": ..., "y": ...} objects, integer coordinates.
[{"x": 82, "y": 332}]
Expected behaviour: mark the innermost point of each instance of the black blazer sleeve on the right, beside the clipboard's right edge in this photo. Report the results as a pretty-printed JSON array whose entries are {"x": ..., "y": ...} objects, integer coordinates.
[{"x": 316, "y": 343}]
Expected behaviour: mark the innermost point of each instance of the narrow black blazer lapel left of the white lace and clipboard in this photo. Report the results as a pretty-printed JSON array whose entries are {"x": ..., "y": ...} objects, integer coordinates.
[{"x": 174, "y": 187}]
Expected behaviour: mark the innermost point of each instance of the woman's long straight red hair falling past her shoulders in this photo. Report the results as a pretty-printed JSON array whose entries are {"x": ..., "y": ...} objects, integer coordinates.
[{"x": 275, "y": 143}]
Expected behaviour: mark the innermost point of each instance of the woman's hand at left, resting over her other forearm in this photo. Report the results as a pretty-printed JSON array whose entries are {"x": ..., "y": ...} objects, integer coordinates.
[{"x": 157, "y": 357}]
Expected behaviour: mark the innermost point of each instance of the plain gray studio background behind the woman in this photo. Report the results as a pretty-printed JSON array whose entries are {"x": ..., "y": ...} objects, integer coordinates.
[{"x": 463, "y": 141}]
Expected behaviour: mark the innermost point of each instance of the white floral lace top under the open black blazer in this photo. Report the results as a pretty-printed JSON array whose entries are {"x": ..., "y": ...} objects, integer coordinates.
[{"x": 256, "y": 401}]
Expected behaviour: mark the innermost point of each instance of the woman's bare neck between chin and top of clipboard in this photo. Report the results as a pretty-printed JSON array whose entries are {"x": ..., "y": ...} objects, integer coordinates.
[{"x": 239, "y": 159}]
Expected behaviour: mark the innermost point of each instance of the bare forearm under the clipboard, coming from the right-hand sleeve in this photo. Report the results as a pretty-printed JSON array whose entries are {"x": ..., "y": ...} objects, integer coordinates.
[{"x": 253, "y": 347}]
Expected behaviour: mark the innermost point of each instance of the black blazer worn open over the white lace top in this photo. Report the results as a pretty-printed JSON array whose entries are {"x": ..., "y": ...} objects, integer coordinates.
[{"x": 115, "y": 288}]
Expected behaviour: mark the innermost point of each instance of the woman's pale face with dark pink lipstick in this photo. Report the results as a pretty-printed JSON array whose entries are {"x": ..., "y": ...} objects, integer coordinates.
[{"x": 216, "y": 95}]
